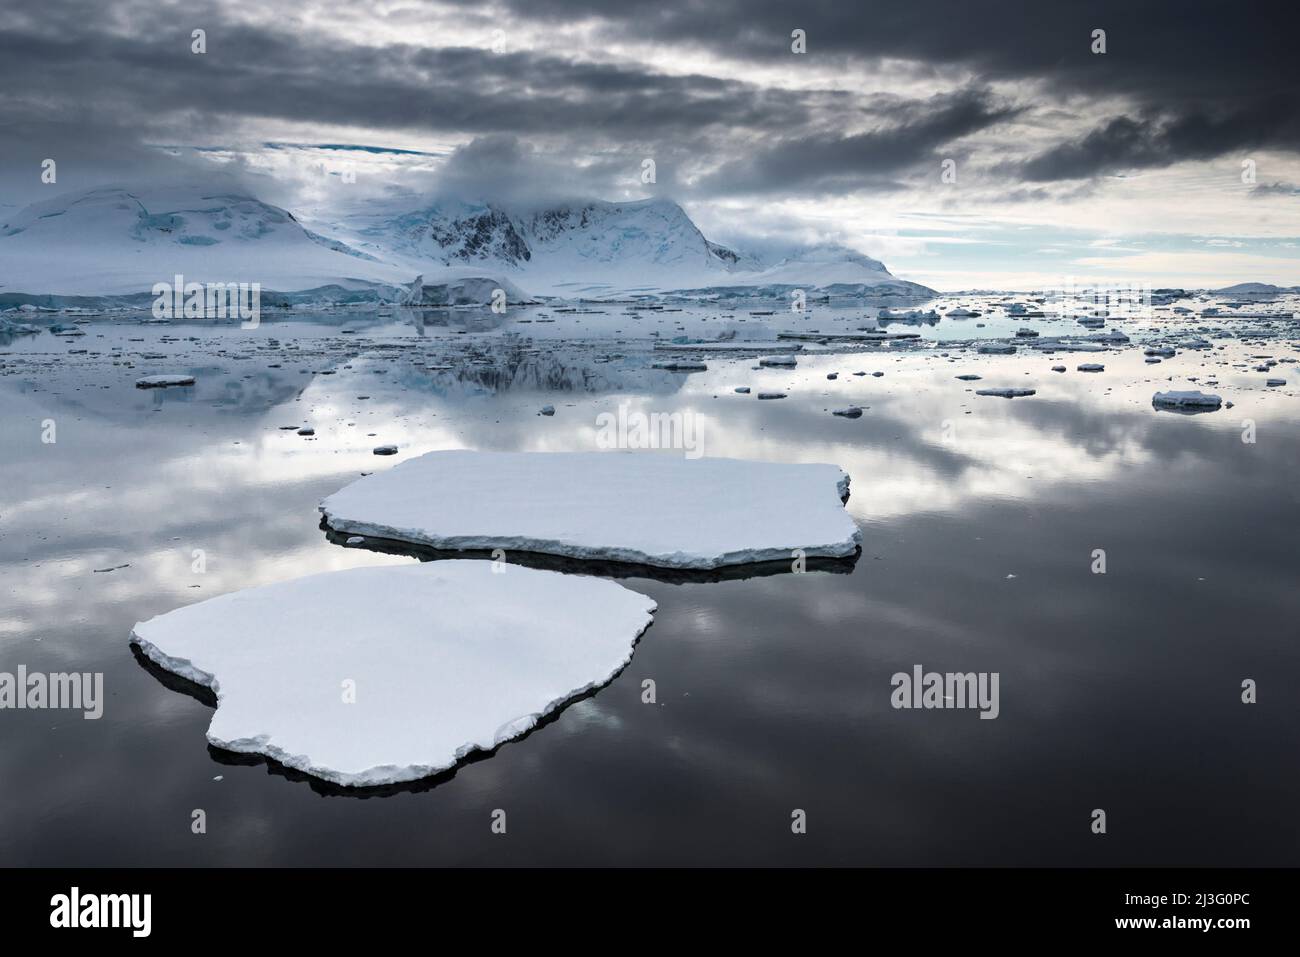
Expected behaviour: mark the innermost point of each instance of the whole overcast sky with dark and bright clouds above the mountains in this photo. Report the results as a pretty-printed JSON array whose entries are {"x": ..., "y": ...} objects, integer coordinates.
[{"x": 1126, "y": 166}]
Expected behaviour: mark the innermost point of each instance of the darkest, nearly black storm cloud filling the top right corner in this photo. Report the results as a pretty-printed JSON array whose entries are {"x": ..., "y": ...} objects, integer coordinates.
[{"x": 1198, "y": 70}]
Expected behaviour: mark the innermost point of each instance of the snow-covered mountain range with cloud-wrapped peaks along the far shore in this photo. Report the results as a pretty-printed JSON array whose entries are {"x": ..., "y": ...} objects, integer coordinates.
[{"x": 122, "y": 240}]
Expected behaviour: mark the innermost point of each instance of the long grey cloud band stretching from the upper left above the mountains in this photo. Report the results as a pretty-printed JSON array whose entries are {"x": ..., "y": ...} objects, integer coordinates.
[{"x": 85, "y": 89}]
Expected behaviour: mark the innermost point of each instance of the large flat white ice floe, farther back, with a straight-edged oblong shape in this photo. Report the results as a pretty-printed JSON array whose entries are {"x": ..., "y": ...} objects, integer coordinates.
[{"x": 642, "y": 508}]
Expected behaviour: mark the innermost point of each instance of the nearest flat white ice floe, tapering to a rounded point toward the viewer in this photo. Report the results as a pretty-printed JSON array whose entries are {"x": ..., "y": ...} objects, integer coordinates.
[{"x": 382, "y": 675}]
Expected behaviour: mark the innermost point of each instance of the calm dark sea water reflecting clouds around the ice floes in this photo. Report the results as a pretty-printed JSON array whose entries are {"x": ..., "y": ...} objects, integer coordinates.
[{"x": 980, "y": 518}]
